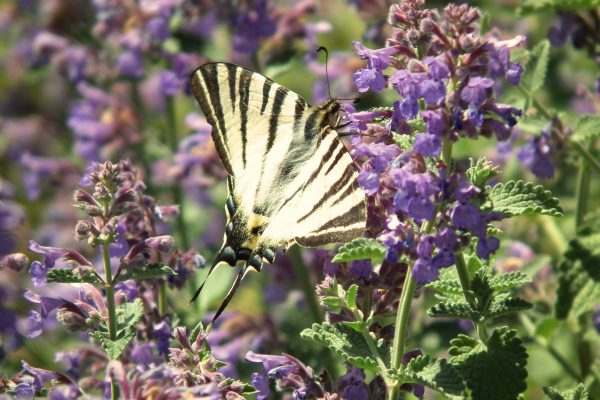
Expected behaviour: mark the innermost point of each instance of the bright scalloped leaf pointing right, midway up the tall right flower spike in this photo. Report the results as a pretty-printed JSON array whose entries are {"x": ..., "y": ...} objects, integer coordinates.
[{"x": 521, "y": 198}]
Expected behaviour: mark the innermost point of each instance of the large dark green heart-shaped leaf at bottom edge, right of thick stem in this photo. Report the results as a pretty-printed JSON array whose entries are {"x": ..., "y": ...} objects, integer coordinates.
[{"x": 494, "y": 370}]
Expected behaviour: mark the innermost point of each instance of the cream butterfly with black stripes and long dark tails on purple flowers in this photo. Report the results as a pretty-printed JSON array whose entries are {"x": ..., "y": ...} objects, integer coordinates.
[{"x": 291, "y": 179}]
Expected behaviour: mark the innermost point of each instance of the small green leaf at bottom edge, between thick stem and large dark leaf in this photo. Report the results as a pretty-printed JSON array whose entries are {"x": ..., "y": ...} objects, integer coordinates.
[{"x": 436, "y": 374}]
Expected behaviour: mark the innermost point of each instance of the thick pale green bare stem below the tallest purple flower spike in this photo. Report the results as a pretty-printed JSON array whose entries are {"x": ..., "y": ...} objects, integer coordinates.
[{"x": 401, "y": 328}]
